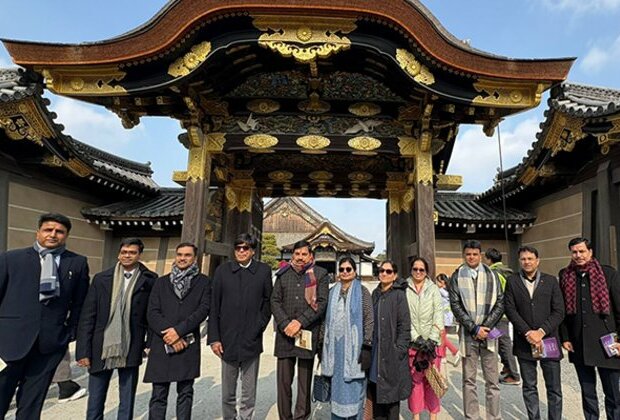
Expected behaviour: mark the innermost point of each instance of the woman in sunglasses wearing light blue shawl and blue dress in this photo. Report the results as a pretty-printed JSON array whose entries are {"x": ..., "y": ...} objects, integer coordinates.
[{"x": 347, "y": 341}]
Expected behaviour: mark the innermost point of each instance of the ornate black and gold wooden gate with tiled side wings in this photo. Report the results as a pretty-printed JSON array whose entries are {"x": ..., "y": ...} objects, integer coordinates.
[{"x": 290, "y": 98}]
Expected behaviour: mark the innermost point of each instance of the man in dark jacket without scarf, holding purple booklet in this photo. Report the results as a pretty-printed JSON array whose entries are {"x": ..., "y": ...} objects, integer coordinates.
[{"x": 535, "y": 306}]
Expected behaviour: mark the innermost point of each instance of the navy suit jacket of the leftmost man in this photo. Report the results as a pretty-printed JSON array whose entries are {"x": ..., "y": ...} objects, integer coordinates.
[{"x": 23, "y": 318}]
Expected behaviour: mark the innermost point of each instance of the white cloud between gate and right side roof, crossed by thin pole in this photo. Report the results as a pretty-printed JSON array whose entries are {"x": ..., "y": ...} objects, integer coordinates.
[{"x": 476, "y": 156}]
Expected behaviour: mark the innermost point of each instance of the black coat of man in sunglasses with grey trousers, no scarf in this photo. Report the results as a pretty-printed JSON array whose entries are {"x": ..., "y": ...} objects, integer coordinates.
[{"x": 240, "y": 309}]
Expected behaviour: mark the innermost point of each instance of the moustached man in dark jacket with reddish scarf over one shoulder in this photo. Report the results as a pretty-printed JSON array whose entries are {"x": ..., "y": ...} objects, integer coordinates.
[{"x": 298, "y": 301}]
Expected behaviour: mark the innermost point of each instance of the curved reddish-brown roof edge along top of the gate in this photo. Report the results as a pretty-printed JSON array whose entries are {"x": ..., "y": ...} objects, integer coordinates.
[{"x": 168, "y": 27}]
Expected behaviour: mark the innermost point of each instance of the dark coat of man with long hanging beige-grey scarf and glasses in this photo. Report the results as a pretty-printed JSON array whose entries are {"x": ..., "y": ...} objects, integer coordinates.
[{"x": 96, "y": 313}]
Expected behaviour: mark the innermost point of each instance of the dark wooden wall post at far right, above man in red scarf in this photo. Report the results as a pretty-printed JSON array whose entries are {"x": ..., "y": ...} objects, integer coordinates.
[{"x": 604, "y": 212}]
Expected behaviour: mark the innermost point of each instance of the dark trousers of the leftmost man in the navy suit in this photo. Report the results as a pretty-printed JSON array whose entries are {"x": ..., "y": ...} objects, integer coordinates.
[{"x": 33, "y": 375}]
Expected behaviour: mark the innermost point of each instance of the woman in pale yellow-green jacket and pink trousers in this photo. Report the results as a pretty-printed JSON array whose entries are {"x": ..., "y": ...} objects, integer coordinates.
[{"x": 426, "y": 311}]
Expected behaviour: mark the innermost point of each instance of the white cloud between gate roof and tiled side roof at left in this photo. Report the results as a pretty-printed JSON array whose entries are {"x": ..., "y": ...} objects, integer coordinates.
[{"x": 93, "y": 125}]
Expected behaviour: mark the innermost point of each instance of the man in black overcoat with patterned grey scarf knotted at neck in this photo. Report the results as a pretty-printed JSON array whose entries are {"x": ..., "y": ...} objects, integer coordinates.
[{"x": 178, "y": 304}]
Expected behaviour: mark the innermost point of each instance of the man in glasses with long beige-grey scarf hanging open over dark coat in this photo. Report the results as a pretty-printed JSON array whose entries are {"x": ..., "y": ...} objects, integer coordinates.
[{"x": 112, "y": 329}]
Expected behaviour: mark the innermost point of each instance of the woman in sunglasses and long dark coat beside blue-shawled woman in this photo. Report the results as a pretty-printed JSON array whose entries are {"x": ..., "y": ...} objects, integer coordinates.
[{"x": 389, "y": 379}]
